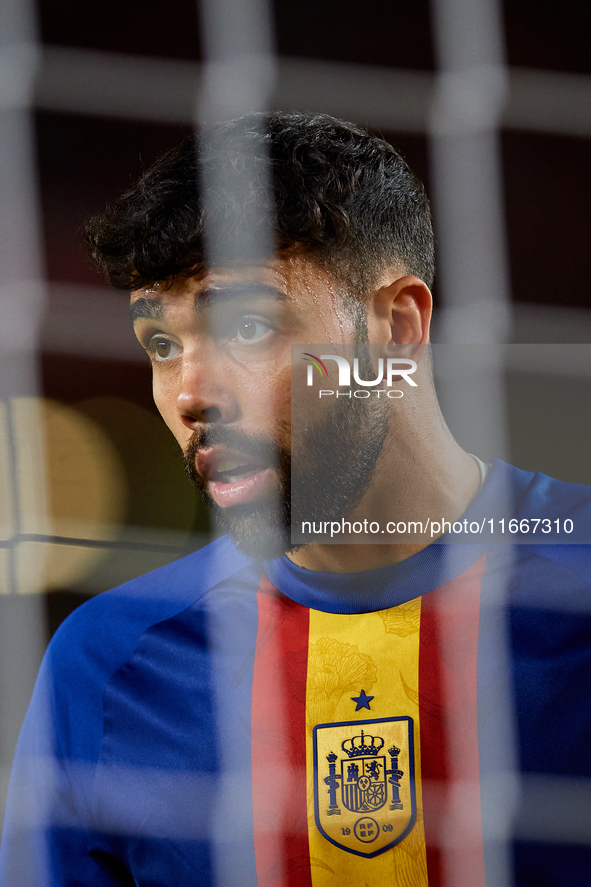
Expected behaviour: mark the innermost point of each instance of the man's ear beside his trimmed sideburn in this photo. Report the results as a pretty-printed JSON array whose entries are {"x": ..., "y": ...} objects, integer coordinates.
[{"x": 399, "y": 312}]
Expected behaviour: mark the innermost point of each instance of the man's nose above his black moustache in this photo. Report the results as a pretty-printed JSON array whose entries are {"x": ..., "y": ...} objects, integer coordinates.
[{"x": 205, "y": 395}]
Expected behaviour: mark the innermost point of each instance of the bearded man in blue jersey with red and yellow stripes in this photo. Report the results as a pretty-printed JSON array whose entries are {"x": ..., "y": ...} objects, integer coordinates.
[{"x": 267, "y": 712}]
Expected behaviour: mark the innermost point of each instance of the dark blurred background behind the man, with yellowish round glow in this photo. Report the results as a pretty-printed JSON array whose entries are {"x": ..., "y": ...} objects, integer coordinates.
[{"x": 92, "y": 490}]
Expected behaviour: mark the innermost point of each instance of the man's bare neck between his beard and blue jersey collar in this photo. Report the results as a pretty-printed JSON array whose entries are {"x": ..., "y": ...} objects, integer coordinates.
[{"x": 418, "y": 477}]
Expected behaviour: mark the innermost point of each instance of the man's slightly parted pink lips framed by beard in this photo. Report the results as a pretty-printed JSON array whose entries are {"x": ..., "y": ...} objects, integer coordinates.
[{"x": 233, "y": 478}]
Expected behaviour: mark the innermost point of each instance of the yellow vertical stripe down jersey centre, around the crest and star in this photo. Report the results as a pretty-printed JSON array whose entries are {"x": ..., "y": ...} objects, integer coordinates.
[{"x": 378, "y": 653}]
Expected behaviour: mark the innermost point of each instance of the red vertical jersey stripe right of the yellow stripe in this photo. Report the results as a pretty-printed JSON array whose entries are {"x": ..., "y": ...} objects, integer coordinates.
[{"x": 449, "y": 730}]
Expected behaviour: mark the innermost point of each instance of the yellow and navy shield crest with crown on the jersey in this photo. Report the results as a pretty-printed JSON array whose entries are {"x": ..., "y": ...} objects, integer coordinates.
[{"x": 364, "y": 789}]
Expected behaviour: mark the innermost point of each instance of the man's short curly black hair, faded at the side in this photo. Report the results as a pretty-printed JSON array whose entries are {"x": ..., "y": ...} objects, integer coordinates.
[{"x": 346, "y": 196}]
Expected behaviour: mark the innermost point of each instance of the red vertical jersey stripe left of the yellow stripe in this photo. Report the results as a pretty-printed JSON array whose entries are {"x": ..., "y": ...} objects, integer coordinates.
[{"x": 278, "y": 741}]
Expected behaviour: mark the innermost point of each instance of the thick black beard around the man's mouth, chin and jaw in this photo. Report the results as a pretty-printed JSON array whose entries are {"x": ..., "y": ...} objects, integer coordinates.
[{"x": 328, "y": 476}]
